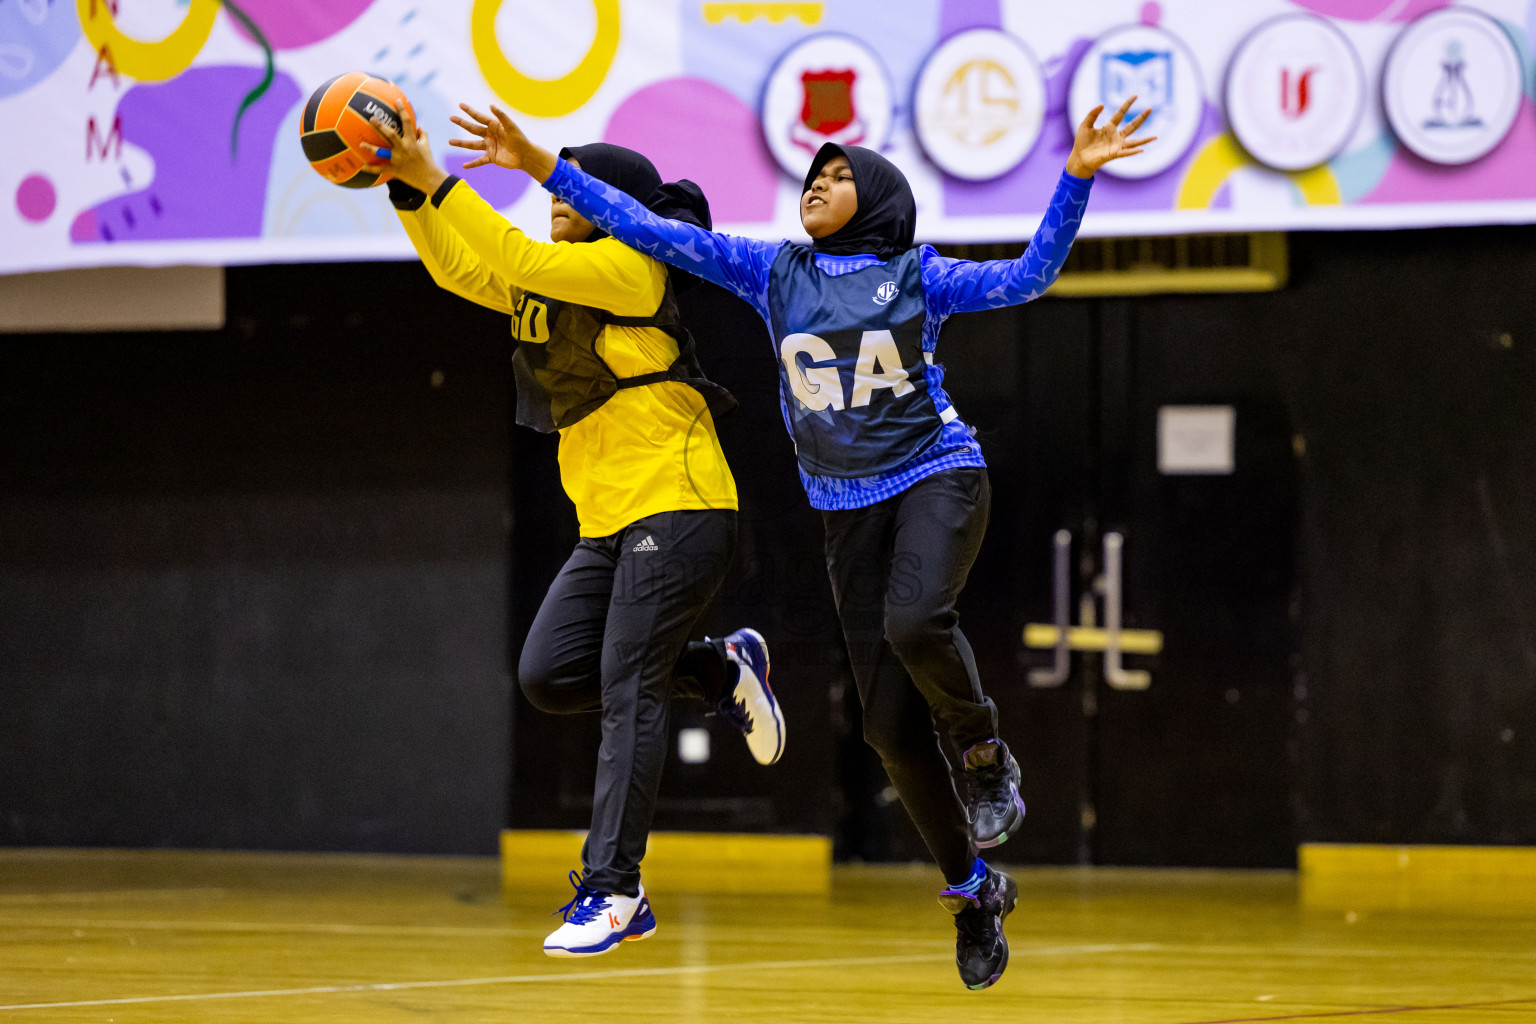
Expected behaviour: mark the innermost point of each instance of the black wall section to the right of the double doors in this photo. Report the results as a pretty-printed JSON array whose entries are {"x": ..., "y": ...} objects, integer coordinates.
[{"x": 1408, "y": 363}]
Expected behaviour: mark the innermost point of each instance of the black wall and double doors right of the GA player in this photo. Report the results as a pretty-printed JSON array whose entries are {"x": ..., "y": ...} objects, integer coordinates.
[{"x": 1400, "y": 371}]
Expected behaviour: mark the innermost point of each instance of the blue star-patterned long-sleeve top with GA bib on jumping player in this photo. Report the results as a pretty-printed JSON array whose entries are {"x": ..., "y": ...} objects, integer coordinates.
[{"x": 760, "y": 273}]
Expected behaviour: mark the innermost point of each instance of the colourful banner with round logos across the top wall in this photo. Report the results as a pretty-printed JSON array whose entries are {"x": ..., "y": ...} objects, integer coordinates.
[{"x": 167, "y": 131}]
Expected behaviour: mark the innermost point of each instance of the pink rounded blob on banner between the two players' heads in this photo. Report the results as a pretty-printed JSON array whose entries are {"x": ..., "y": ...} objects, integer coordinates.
[{"x": 695, "y": 130}]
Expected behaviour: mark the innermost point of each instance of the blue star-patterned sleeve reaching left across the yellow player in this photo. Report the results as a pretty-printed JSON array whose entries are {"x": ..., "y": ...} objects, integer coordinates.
[{"x": 740, "y": 265}]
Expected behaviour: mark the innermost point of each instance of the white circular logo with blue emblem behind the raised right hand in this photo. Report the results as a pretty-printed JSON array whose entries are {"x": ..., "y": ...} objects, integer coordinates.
[{"x": 1145, "y": 62}]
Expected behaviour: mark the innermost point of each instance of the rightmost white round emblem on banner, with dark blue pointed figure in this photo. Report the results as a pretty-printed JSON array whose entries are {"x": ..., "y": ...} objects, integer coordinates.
[{"x": 1454, "y": 87}]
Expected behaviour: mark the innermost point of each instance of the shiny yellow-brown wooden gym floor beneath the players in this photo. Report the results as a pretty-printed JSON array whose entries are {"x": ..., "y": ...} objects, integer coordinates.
[{"x": 245, "y": 937}]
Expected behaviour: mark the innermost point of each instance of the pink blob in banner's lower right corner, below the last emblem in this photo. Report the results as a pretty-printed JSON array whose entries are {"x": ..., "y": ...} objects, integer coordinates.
[{"x": 1505, "y": 174}]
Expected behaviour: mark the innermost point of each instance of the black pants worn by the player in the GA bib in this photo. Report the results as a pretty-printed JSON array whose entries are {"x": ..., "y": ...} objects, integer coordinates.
[{"x": 898, "y": 569}]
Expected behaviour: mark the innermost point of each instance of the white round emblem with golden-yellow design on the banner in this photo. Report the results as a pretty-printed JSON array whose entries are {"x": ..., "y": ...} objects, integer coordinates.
[{"x": 979, "y": 105}]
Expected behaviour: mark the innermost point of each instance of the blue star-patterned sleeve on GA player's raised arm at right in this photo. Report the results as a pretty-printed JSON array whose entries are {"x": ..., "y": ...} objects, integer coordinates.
[{"x": 959, "y": 286}]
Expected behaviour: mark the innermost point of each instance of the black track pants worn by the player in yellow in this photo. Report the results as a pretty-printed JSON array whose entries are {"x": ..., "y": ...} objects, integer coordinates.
[{"x": 612, "y": 635}]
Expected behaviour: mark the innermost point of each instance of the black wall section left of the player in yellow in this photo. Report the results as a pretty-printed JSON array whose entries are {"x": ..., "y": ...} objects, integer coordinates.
[{"x": 254, "y": 583}]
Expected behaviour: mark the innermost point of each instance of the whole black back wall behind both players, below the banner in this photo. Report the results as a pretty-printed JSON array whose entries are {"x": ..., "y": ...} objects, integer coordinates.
[{"x": 256, "y": 589}]
